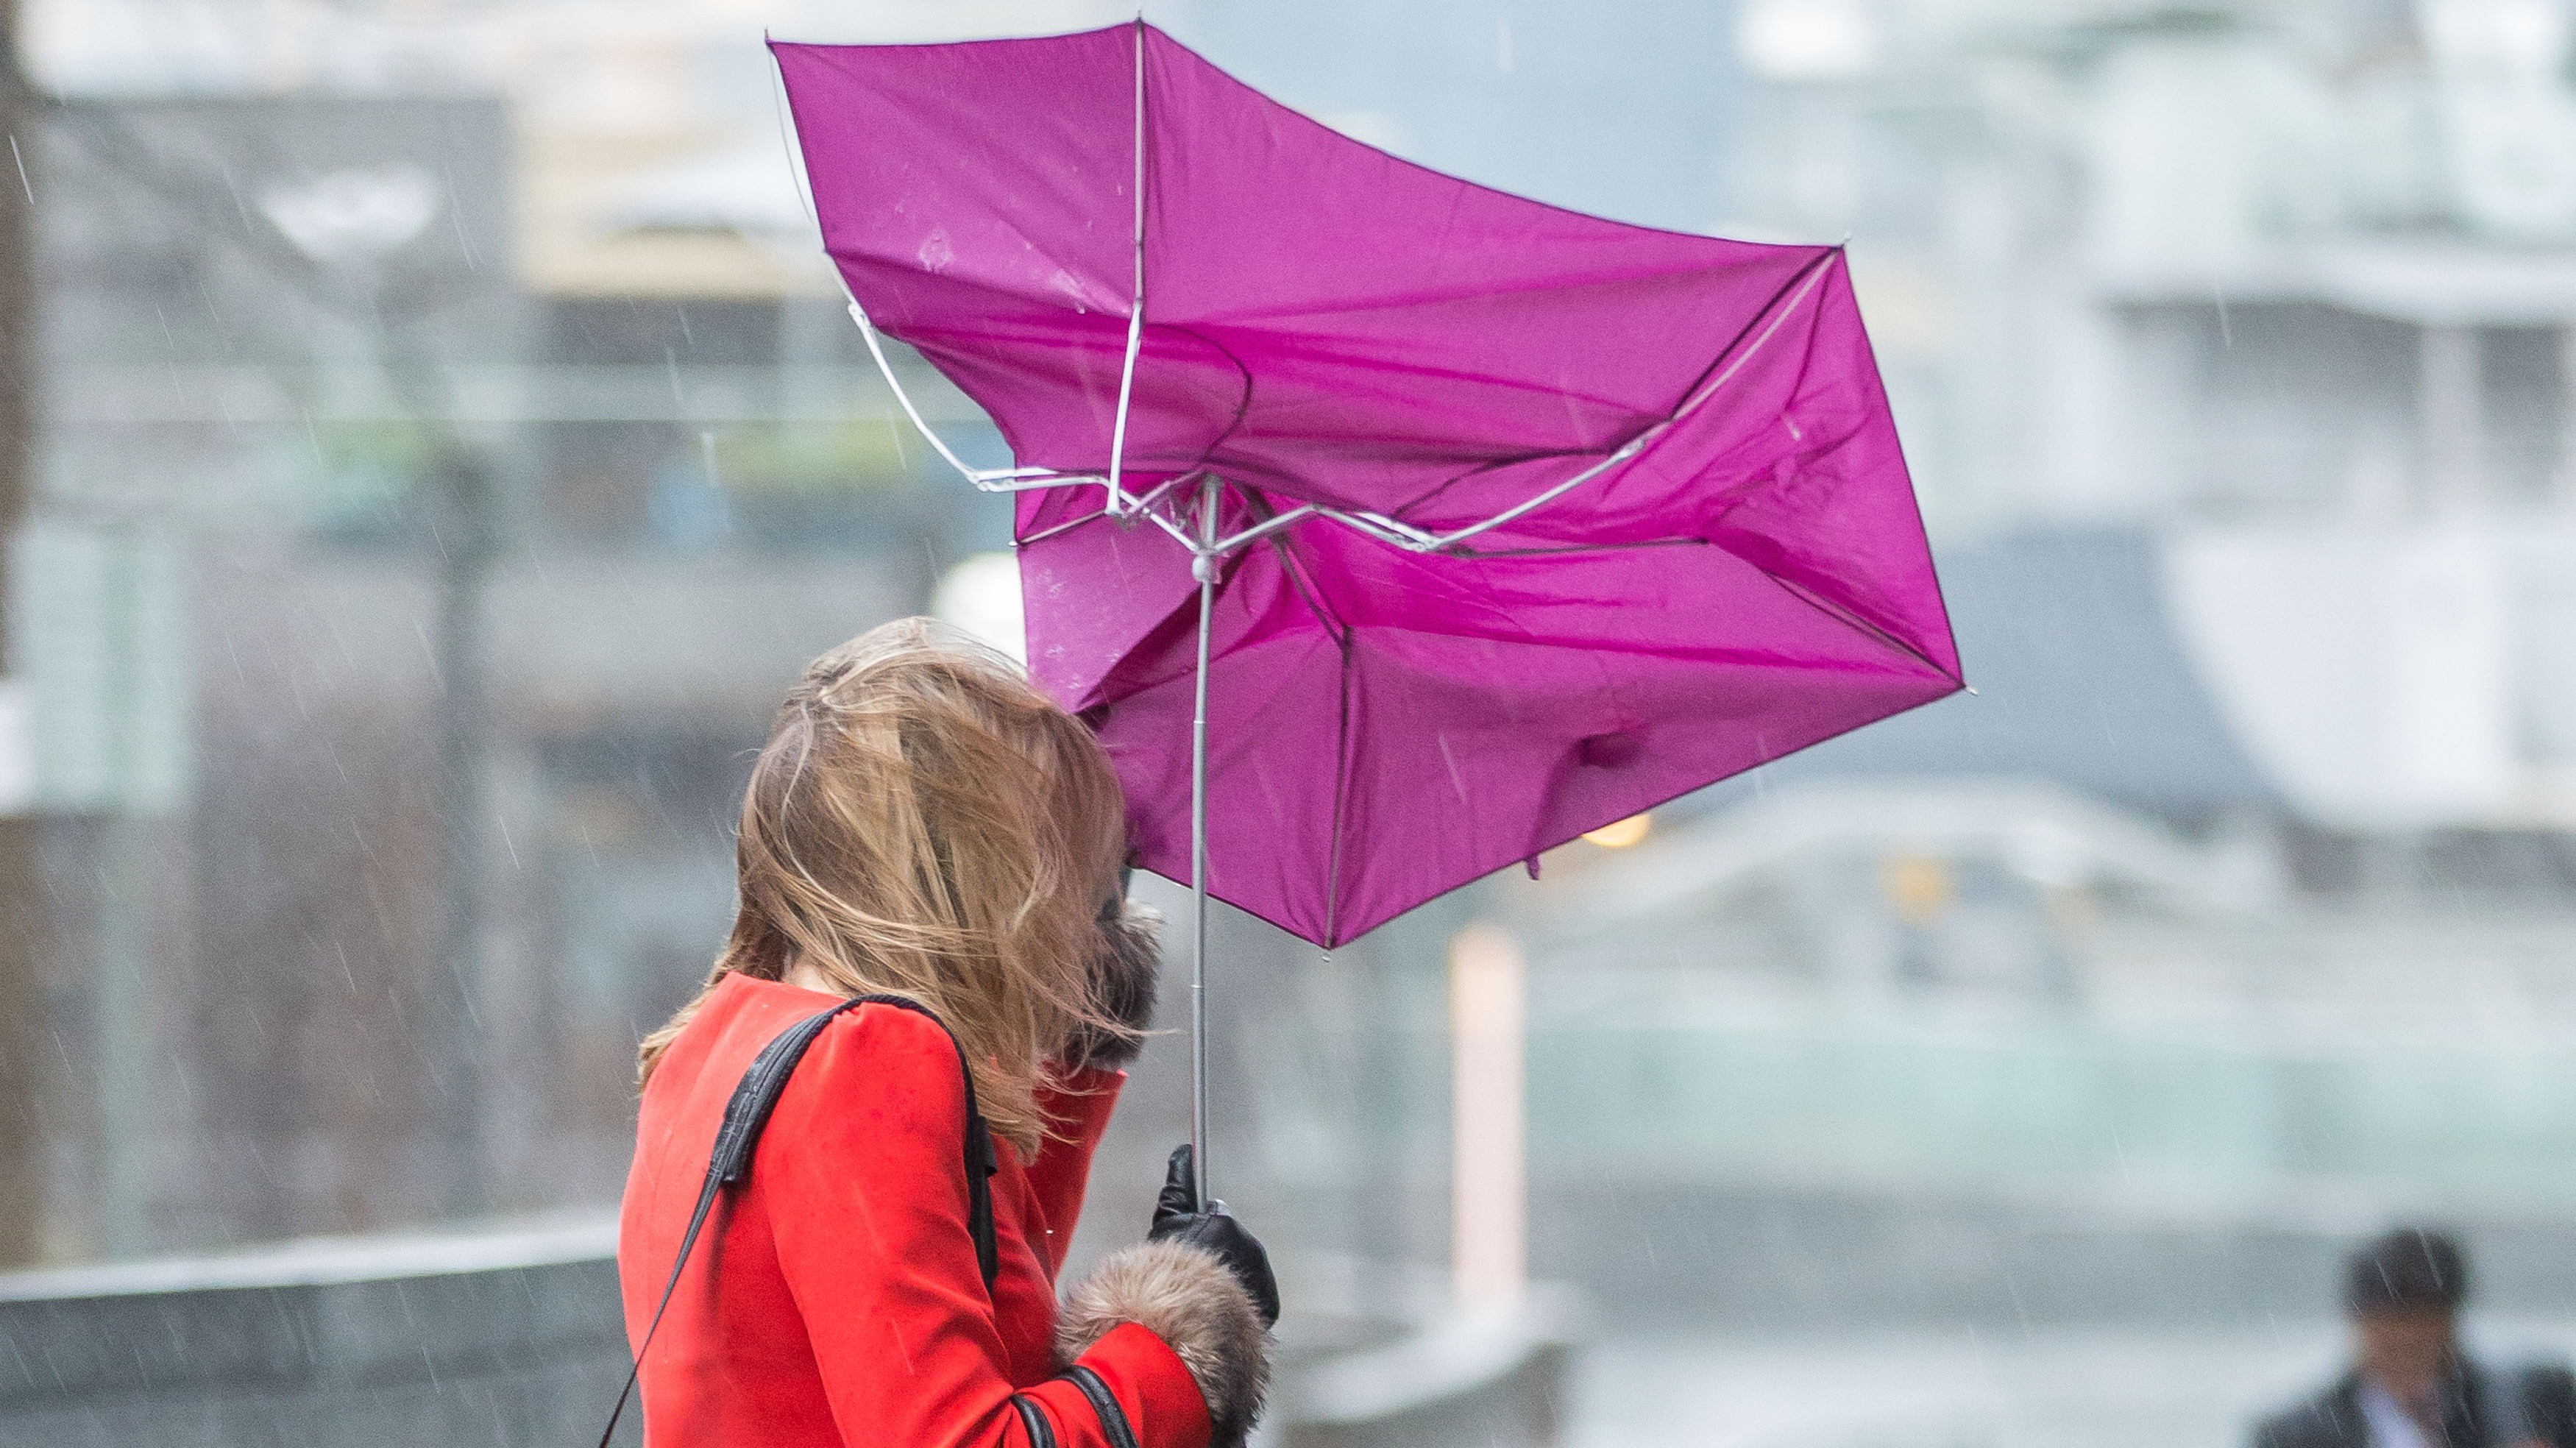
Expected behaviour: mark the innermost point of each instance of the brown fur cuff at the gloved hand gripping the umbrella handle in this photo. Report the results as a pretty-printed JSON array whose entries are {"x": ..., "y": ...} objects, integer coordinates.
[{"x": 1197, "y": 1308}]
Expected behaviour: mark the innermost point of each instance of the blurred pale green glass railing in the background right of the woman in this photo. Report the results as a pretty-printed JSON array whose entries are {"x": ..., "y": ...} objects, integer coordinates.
[{"x": 2011, "y": 1104}]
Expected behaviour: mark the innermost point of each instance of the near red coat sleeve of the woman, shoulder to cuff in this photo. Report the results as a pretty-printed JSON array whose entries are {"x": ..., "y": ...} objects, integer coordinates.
[{"x": 864, "y": 1184}]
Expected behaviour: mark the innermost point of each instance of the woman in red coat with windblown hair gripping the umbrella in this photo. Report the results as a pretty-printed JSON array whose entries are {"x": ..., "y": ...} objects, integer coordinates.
[{"x": 926, "y": 826}]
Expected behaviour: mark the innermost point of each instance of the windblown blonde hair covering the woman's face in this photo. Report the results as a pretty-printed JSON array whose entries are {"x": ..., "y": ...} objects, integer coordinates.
[{"x": 926, "y": 823}]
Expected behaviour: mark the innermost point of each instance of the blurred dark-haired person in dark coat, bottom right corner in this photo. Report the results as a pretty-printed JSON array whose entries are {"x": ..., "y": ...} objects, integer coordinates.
[{"x": 2412, "y": 1382}]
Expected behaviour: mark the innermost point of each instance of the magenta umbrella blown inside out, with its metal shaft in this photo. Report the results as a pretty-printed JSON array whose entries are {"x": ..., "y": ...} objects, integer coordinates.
[{"x": 1387, "y": 529}]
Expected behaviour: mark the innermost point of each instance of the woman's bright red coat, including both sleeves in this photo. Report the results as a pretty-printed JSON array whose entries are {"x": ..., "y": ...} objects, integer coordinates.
[{"x": 838, "y": 1297}]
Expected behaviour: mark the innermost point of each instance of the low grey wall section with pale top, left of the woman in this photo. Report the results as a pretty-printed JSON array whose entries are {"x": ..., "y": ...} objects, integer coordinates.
[{"x": 496, "y": 1338}]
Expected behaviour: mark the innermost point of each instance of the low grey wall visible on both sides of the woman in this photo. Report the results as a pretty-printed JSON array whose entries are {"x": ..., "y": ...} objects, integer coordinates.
[{"x": 514, "y": 1338}]
